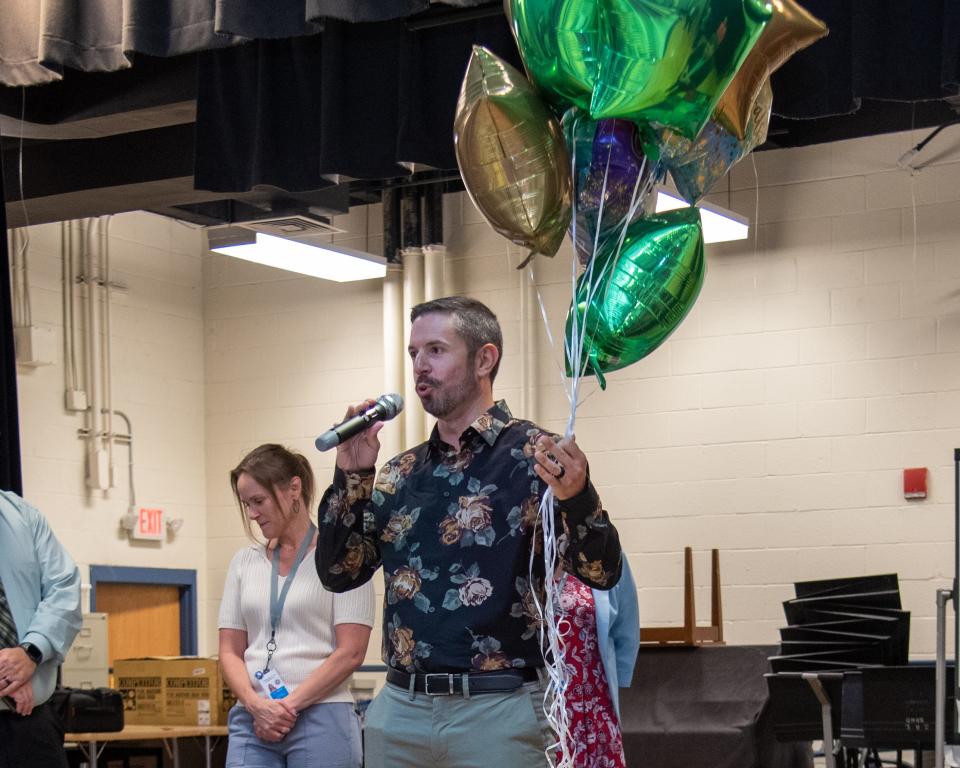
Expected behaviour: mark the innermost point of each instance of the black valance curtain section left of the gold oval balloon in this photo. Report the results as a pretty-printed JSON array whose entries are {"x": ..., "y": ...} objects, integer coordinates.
[{"x": 356, "y": 100}]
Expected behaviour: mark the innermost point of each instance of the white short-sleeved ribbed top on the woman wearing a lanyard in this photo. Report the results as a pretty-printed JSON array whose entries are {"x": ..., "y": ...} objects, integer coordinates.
[{"x": 305, "y": 636}]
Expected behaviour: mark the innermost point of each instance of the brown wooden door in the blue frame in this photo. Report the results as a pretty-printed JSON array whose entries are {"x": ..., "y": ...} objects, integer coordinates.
[{"x": 144, "y": 619}]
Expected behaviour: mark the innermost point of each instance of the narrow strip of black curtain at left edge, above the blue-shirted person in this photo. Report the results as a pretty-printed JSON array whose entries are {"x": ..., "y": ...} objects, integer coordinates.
[{"x": 9, "y": 418}]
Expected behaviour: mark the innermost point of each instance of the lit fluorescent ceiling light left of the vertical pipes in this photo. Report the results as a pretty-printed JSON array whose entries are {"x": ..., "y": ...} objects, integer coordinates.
[{"x": 329, "y": 262}]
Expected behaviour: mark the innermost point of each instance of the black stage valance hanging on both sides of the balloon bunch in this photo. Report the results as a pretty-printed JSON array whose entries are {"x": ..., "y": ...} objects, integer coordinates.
[{"x": 359, "y": 99}]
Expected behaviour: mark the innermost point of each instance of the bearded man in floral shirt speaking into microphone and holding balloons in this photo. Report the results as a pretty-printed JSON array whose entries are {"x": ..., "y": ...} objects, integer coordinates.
[{"x": 453, "y": 522}]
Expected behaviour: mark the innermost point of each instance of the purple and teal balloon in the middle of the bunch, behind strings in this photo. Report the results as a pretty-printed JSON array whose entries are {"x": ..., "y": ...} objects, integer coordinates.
[{"x": 608, "y": 162}]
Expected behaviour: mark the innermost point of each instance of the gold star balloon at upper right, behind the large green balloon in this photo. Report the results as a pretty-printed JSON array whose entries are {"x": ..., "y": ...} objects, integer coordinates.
[{"x": 790, "y": 29}]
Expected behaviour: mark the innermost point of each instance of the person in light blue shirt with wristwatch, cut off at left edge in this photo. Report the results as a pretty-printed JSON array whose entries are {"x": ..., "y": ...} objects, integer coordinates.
[{"x": 39, "y": 618}]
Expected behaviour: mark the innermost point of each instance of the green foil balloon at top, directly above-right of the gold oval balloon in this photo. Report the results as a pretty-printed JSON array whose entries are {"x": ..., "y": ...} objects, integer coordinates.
[{"x": 558, "y": 41}]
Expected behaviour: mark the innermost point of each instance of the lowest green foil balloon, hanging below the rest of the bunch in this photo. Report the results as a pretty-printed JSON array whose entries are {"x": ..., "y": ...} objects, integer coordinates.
[{"x": 632, "y": 301}]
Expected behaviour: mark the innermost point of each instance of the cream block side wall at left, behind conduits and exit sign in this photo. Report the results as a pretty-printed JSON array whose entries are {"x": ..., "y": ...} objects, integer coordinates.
[{"x": 157, "y": 362}]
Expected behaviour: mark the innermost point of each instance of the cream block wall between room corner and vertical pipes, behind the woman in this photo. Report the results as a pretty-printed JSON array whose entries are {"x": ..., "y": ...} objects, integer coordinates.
[{"x": 284, "y": 356}]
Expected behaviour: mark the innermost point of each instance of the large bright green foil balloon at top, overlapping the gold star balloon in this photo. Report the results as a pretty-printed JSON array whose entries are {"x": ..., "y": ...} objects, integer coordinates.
[{"x": 669, "y": 61}]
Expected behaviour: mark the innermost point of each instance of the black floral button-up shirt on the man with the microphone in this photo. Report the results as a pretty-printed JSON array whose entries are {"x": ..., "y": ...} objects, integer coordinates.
[{"x": 453, "y": 530}]
